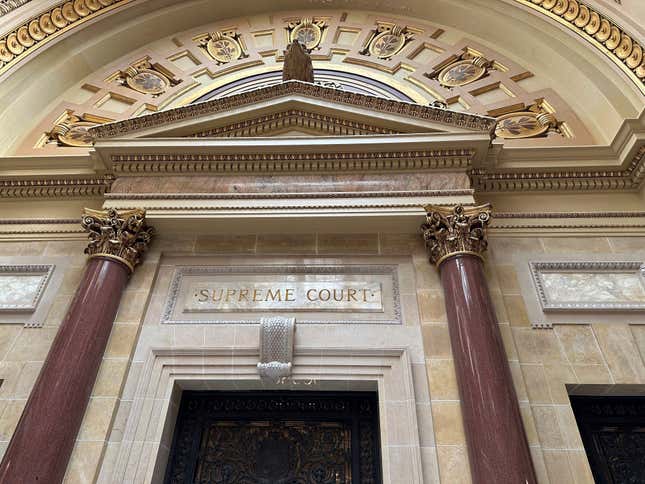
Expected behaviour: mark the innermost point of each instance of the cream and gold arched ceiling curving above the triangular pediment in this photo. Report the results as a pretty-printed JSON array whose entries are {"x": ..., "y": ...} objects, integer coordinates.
[{"x": 532, "y": 56}]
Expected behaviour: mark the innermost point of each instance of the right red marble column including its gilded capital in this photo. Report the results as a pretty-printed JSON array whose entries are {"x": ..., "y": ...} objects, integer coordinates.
[{"x": 497, "y": 447}]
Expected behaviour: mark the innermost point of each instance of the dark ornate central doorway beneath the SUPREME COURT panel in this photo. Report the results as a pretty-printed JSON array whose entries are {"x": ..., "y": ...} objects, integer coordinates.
[{"x": 276, "y": 438}]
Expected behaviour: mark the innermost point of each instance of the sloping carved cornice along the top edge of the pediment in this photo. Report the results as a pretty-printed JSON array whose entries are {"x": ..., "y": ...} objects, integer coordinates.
[{"x": 317, "y": 92}]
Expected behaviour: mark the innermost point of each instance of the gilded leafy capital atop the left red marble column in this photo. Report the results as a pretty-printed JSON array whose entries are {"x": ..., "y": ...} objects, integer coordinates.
[{"x": 123, "y": 236}]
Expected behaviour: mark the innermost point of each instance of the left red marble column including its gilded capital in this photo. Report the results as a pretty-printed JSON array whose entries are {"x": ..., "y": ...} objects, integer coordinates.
[{"x": 43, "y": 441}]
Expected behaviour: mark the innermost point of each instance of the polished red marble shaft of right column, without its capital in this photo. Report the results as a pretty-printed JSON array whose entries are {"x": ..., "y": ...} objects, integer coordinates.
[{"x": 497, "y": 447}]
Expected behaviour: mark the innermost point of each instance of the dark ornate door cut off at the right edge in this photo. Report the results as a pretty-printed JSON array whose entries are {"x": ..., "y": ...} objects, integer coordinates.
[{"x": 613, "y": 433}]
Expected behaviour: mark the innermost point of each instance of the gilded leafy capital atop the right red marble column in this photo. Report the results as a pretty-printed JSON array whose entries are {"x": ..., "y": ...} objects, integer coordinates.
[{"x": 456, "y": 230}]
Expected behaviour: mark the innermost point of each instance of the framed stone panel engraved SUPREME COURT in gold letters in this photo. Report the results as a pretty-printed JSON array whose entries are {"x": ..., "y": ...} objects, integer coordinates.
[{"x": 312, "y": 293}]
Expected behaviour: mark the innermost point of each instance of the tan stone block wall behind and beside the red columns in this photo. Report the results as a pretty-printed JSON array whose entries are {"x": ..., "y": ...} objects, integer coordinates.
[{"x": 542, "y": 361}]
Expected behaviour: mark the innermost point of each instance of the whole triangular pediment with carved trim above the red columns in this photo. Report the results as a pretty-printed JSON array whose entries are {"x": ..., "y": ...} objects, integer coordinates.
[{"x": 295, "y": 109}]
